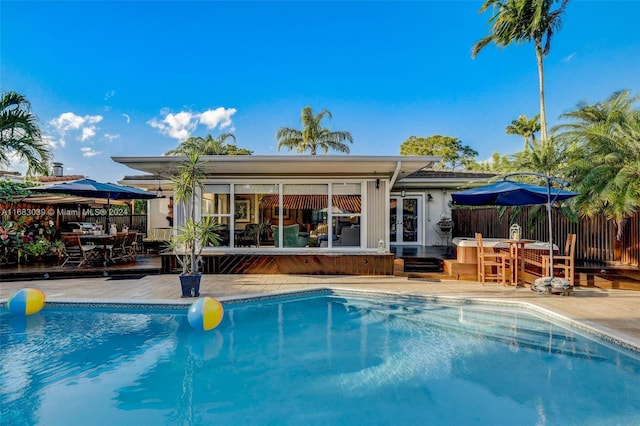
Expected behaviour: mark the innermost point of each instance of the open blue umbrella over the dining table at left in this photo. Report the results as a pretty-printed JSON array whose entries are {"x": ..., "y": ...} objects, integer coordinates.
[{"x": 94, "y": 189}]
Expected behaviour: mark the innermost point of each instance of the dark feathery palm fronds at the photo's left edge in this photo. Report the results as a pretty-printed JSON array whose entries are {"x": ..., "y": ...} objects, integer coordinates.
[{"x": 20, "y": 135}]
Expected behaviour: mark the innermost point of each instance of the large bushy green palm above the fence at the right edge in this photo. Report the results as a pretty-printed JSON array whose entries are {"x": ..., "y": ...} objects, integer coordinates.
[{"x": 604, "y": 157}]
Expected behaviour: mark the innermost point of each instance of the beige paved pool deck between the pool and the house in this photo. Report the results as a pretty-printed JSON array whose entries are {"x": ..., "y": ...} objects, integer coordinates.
[{"x": 613, "y": 312}]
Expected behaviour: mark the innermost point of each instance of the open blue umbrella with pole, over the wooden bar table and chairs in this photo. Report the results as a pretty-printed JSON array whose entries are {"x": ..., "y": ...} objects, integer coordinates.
[{"x": 510, "y": 193}]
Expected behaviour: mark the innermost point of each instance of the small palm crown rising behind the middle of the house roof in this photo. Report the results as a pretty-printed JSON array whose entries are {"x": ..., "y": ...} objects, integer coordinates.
[{"x": 313, "y": 135}]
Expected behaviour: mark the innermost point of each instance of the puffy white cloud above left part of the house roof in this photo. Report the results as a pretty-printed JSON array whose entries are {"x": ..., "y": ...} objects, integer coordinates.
[{"x": 182, "y": 124}]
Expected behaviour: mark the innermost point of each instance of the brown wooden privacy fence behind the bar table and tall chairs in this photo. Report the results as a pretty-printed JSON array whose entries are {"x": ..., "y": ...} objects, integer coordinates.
[{"x": 596, "y": 237}]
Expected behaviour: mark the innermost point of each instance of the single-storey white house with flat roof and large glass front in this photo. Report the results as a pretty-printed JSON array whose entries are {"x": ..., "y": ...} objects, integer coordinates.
[{"x": 302, "y": 205}]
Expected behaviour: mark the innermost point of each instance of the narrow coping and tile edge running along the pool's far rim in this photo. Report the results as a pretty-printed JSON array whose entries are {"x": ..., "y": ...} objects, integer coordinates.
[{"x": 603, "y": 333}]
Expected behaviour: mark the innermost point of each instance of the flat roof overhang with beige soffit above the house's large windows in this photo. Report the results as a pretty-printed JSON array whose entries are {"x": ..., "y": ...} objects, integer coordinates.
[{"x": 243, "y": 166}]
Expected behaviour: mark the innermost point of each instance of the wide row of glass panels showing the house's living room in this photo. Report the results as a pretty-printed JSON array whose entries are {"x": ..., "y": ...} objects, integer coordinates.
[{"x": 260, "y": 216}]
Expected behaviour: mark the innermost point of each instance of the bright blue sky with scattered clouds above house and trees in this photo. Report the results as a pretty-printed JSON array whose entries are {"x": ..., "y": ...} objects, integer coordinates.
[{"x": 109, "y": 78}]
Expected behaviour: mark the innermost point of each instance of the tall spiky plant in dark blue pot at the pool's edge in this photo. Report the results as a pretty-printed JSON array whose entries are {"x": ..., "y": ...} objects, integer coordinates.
[{"x": 194, "y": 234}]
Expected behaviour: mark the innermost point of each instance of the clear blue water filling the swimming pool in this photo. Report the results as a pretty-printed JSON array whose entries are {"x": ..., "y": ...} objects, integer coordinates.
[{"x": 340, "y": 359}]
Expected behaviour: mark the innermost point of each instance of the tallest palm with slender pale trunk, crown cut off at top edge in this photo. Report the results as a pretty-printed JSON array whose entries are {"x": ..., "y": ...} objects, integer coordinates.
[{"x": 523, "y": 21}]
